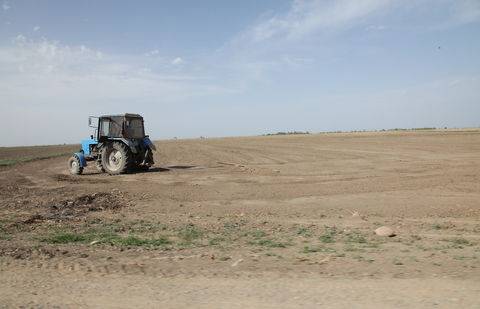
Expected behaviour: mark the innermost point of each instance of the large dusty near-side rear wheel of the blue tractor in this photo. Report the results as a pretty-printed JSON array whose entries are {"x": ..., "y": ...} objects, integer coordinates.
[{"x": 116, "y": 158}]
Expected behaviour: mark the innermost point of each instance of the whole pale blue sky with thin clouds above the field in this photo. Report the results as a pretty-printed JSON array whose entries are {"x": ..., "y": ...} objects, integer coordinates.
[{"x": 221, "y": 68}]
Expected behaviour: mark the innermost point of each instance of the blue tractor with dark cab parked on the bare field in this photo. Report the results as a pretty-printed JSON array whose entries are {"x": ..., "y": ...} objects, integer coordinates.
[{"x": 120, "y": 146}]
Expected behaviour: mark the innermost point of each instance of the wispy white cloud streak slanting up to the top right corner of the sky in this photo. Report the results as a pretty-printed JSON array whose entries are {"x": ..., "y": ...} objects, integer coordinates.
[{"x": 311, "y": 28}]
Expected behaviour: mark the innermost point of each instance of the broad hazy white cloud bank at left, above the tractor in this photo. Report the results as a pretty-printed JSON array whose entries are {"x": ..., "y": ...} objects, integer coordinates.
[{"x": 55, "y": 73}]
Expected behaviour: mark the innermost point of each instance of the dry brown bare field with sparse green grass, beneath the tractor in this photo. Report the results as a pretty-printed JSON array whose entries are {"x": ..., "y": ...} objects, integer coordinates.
[{"x": 278, "y": 221}]
